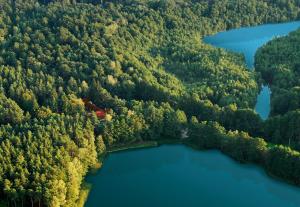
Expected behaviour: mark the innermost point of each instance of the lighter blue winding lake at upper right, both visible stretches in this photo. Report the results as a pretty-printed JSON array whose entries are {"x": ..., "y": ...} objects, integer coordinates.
[{"x": 247, "y": 41}]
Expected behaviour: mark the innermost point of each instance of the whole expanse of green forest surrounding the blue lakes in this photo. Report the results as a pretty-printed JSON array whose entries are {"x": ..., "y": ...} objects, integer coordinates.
[{"x": 79, "y": 78}]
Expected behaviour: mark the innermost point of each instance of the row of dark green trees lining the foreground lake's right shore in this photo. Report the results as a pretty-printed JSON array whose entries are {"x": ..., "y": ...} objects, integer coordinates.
[{"x": 277, "y": 160}]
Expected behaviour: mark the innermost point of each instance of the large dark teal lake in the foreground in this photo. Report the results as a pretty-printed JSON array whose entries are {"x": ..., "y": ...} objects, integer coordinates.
[{"x": 178, "y": 176}]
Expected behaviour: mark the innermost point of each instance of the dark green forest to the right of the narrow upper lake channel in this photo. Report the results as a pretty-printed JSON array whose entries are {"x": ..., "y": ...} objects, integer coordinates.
[{"x": 279, "y": 64}]
